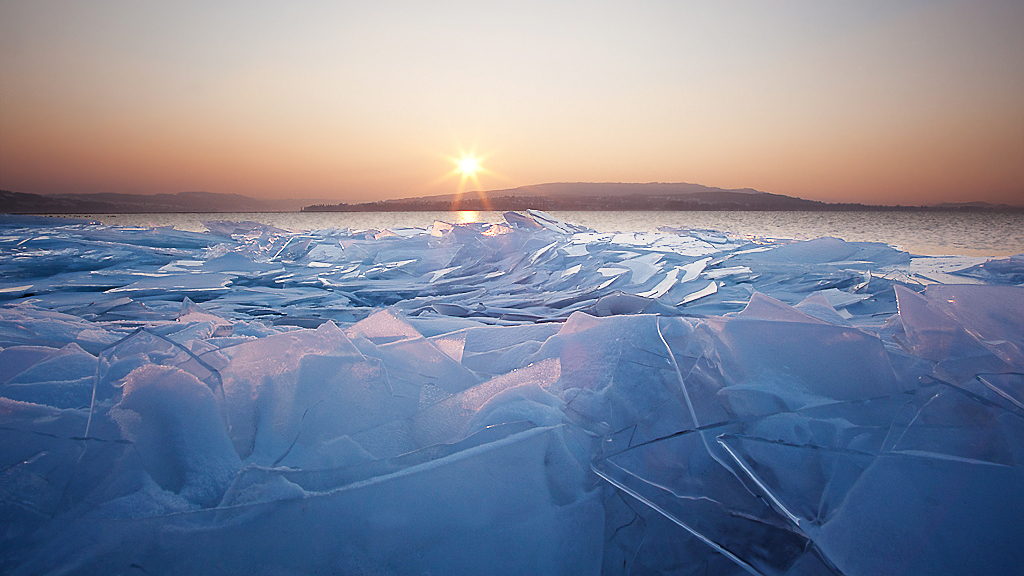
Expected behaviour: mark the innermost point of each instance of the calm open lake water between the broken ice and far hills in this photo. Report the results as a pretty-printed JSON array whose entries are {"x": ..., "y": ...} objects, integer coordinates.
[{"x": 973, "y": 234}]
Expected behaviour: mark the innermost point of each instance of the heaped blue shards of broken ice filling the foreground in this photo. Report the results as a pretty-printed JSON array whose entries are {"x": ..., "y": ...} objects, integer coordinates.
[{"x": 520, "y": 398}]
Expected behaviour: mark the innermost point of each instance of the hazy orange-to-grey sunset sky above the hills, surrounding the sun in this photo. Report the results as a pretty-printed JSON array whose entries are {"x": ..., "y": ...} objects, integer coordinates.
[{"x": 877, "y": 102}]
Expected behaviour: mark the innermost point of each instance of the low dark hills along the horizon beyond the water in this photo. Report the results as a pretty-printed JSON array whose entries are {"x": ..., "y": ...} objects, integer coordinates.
[{"x": 579, "y": 197}]
